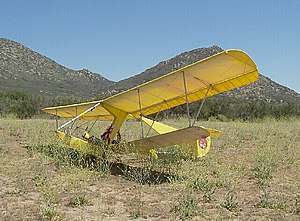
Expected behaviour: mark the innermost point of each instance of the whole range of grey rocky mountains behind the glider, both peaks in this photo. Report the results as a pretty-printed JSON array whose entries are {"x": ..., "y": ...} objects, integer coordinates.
[{"x": 20, "y": 67}]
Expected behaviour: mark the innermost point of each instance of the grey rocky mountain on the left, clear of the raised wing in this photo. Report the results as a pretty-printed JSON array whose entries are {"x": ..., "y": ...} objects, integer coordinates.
[{"x": 22, "y": 68}]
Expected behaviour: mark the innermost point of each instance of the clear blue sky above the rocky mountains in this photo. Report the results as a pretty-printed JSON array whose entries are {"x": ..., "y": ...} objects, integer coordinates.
[{"x": 122, "y": 38}]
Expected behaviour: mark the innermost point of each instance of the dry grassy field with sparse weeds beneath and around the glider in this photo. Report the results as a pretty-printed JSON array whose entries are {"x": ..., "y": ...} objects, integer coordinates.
[{"x": 251, "y": 173}]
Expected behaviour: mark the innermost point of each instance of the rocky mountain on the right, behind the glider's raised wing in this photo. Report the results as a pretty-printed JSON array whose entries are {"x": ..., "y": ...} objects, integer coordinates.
[{"x": 264, "y": 89}]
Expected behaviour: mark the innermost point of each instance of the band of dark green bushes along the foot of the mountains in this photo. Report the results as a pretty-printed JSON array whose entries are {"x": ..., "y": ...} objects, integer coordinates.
[{"x": 24, "y": 105}]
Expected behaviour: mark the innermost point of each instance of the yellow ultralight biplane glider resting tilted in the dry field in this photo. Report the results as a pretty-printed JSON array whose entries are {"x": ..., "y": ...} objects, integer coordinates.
[{"x": 216, "y": 74}]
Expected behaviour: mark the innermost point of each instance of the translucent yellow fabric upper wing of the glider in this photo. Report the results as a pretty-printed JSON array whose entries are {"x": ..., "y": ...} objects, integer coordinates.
[{"x": 219, "y": 73}]
